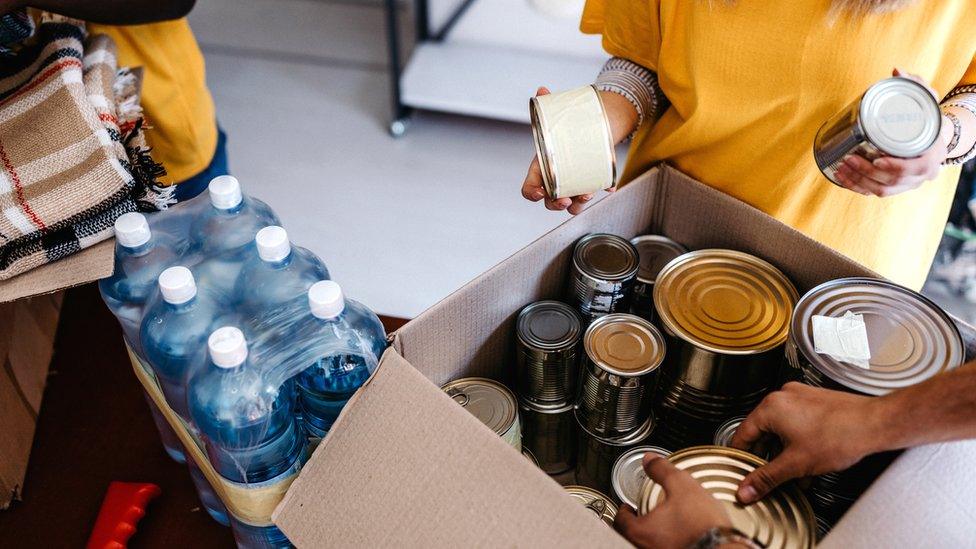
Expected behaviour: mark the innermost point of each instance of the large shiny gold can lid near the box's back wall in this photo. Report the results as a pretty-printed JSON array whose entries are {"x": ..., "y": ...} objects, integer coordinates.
[{"x": 725, "y": 301}]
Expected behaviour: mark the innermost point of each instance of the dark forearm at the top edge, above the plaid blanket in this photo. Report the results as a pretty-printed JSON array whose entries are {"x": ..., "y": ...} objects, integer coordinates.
[{"x": 111, "y": 12}]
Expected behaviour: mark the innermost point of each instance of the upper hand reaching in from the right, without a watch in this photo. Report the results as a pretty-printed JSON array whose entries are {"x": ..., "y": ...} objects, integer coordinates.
[{"x": 820, "y": 430}]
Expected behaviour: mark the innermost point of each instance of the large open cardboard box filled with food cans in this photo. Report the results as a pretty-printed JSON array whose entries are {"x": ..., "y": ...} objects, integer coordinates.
[{"x": 406, "y": 466}]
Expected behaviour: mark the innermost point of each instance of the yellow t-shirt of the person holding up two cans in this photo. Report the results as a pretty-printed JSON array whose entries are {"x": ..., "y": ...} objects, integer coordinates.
[{"x": 750, "y": 83}]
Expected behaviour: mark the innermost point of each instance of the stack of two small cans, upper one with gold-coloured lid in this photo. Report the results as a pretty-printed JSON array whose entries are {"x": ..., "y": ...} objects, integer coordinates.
[{"x": 620, "y": 369}]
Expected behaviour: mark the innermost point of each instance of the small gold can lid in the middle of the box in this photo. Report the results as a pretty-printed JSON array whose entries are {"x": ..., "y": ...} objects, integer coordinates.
[{"x": 624, "y": 344}]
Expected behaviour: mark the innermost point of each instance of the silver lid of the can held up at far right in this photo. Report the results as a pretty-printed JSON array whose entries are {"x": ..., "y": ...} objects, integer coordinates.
[{"x": 900, "y": 117}]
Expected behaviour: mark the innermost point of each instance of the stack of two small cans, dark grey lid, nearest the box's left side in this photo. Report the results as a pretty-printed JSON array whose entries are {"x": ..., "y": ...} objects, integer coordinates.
[{"x": 547, "y": 345}]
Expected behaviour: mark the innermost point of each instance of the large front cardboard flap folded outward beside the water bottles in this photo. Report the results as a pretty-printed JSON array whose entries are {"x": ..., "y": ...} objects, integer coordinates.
[{"x": 407, "y": 467}]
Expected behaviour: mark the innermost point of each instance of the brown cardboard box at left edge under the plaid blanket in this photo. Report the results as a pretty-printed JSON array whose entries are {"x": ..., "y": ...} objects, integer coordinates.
[{"x": 29, "y": 309}]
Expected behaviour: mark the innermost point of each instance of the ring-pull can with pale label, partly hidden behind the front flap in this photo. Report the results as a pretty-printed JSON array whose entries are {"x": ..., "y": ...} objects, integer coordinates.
[{"x": 492, "y": 403}]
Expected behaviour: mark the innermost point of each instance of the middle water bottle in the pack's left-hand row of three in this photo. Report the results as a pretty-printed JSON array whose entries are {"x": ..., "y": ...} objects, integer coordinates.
[{"x": 174, "y": 334}]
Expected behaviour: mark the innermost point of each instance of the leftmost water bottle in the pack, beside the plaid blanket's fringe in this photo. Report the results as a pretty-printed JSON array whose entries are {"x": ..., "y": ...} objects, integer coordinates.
[{"x": 140, "y": 256}]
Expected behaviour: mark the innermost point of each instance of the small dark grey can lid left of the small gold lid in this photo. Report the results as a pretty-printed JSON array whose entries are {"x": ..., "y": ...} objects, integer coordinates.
[{"x": 548, "y": 326}]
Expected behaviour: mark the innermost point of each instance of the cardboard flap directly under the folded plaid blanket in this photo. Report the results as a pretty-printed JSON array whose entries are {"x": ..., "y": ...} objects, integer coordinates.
[{"x": 80, "y": 268}]
